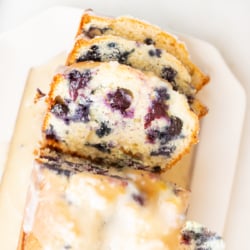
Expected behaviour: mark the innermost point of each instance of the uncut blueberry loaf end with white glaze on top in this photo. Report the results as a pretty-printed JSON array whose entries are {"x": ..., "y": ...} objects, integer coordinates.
[{"x": 79, "y": 210}]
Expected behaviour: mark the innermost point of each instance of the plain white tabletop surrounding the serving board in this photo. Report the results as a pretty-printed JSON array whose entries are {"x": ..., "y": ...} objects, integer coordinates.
[{"x": 224, "y": 24}]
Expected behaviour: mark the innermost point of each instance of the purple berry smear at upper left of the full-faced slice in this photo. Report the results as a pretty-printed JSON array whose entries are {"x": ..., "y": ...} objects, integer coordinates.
[{"x": 78, "y": 80}]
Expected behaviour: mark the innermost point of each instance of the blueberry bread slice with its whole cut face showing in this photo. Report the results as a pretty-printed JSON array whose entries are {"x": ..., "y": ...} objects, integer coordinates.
[{"x": 109, "y": 112}]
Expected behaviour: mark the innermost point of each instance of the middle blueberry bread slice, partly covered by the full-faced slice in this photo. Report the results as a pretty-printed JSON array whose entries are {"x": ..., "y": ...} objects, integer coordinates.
[{"x": 141, "y": 56}]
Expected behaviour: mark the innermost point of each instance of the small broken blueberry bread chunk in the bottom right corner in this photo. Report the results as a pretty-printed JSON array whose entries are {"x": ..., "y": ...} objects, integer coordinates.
[{"x": 195, "y": 236}]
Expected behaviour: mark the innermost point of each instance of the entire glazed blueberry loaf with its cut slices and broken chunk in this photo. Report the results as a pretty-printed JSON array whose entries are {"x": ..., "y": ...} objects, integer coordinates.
[{"x": 122, "y": 111}]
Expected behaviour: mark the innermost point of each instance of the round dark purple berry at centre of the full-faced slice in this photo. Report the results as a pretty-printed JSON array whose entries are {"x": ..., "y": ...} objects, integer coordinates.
[{"x": 120, "y": 100}]
